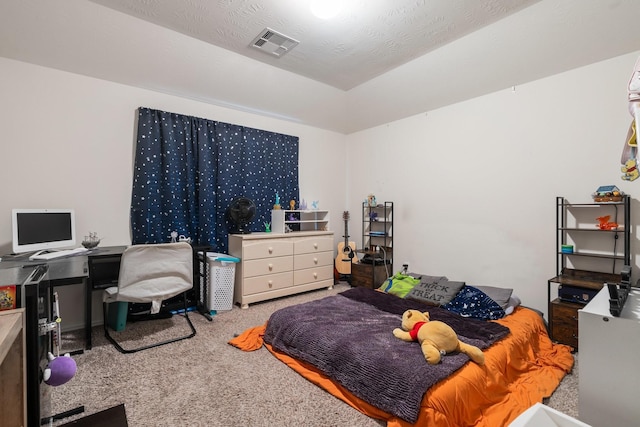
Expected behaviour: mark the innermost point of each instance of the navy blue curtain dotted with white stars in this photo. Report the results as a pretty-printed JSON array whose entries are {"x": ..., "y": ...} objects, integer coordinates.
[{"x": 188, "y": 170}]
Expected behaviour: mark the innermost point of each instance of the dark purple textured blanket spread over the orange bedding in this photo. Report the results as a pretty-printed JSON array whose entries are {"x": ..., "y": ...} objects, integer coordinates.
[{"x": 349, "y": 338}]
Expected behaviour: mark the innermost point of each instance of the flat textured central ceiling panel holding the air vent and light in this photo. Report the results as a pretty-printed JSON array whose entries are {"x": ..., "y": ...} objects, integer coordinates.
[{"x": 366, "y": 39}]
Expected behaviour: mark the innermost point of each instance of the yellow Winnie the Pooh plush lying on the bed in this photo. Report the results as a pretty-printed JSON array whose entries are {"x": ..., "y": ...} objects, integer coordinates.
[{"x": 436, "y": 338}]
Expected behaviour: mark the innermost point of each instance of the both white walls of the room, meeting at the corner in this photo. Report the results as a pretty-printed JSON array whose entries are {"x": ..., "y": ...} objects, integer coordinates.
[{"x": 474, "y": 184}]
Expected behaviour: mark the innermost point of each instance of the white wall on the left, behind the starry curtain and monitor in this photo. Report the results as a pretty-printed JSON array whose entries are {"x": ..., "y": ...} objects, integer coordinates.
[{"x": 68, "y": 141}]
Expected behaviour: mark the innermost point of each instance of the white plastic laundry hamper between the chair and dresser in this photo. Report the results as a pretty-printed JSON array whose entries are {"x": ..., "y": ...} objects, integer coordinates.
[{"x": 220, "y": 275}]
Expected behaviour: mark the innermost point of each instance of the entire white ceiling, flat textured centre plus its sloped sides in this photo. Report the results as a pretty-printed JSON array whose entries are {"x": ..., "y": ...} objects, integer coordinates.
[{"x": 399, "y": 58}]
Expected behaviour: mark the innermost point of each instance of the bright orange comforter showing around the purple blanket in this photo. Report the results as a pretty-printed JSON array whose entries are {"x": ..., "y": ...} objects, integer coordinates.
[{"x": 519, "y": 371}]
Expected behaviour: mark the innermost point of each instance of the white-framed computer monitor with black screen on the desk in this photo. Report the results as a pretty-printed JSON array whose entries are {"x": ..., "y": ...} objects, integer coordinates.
[{"x": 42, "y": 229}]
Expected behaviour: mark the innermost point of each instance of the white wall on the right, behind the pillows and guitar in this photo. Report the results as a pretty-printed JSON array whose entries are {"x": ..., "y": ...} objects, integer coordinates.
[{"x": 474, "y": 184}]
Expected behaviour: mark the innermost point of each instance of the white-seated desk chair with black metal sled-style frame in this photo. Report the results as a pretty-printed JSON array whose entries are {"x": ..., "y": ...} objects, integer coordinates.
[{"x": 151, "y": 274}]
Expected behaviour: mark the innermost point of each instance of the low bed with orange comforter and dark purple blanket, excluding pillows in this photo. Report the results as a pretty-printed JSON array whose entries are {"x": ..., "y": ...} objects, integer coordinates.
[{"x": 344, "y": 344}]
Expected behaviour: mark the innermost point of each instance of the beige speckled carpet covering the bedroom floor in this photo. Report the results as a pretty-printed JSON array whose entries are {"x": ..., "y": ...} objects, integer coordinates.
[{"x": 203, "y": 381}]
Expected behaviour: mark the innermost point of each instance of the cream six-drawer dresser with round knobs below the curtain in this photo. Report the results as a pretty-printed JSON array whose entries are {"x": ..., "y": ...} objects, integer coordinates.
[{"x": 274, "y": 265}]
